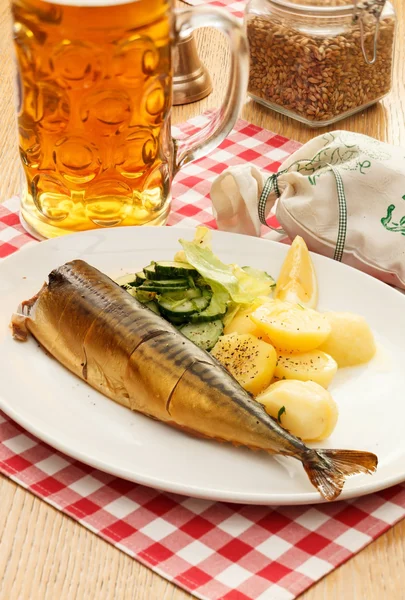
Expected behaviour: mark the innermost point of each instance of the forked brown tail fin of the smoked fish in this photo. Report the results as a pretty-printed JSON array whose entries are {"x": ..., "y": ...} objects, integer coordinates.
[{"x": 328, "y": 469}]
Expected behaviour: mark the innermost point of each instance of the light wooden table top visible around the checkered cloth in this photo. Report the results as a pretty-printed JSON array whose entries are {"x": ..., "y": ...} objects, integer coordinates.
[{"x": 46, "y": 555}]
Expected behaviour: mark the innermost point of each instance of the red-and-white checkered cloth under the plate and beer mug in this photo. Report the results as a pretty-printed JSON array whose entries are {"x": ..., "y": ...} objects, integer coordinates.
[{"x": 214, "y": 550}]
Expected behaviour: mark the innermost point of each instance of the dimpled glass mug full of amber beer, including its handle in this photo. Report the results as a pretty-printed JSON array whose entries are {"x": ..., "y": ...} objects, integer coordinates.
[{"x": 95, "y": 95}]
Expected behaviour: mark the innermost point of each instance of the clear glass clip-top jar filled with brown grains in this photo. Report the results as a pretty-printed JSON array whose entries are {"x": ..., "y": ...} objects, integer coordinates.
[{"x": 319, "y": 61}]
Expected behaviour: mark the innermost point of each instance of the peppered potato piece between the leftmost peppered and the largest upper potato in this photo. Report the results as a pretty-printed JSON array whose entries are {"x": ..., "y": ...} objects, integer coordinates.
[{"x": 311, "y": 366}]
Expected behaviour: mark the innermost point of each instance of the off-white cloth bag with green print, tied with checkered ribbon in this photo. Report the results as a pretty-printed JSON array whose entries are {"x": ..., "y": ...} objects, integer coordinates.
[{"x": 343, "y": 192}]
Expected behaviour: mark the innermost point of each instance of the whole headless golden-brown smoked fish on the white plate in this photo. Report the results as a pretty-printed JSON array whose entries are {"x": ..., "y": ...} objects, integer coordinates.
[{"x": 136, "y": 358}]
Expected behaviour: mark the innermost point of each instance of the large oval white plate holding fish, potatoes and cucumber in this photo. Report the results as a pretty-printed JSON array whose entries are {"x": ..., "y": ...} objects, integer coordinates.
[{"x": 48, "y": 401}]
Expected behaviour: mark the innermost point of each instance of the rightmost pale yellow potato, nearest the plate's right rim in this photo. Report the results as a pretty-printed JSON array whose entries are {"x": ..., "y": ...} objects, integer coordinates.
[{"x": 351, "y": 341}]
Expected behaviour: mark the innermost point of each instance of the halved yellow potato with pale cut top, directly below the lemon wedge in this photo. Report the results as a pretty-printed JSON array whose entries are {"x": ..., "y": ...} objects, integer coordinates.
[{"x": 291, "y": 327}]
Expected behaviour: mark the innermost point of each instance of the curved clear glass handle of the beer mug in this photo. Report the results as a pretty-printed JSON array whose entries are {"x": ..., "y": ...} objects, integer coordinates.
[{"x": 199, "y": 144}]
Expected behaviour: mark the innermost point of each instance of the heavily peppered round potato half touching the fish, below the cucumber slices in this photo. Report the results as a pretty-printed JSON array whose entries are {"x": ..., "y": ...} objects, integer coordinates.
[{"x": 249, "y": 360}]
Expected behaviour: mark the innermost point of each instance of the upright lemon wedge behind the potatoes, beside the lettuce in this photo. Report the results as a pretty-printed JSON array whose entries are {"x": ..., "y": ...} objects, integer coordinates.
[{"x": 297, "y": 281}]
